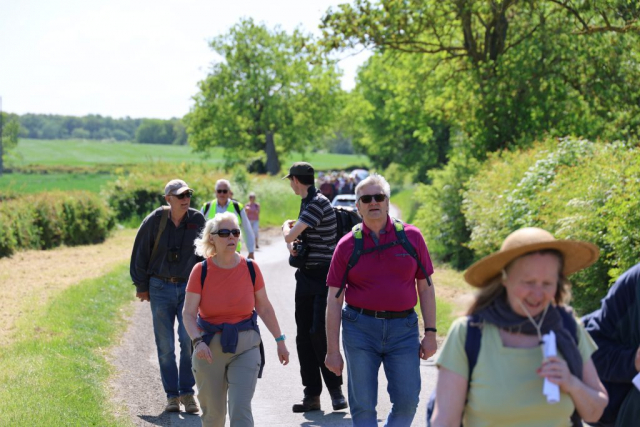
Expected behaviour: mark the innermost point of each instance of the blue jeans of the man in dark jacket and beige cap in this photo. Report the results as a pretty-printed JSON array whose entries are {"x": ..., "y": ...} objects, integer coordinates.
[{"x": 167, "y": 300}]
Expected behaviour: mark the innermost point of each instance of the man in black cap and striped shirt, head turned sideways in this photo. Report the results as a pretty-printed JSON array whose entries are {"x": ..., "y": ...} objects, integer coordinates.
[{"x": 317, "y": 227}]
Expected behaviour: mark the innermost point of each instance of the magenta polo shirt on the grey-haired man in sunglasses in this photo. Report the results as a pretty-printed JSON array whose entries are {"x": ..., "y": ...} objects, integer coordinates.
[{"x": 384, "y": 280}]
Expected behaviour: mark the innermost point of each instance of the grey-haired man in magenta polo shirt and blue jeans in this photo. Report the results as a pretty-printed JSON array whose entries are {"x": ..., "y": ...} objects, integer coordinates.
[{"x": 379, "y": 324}]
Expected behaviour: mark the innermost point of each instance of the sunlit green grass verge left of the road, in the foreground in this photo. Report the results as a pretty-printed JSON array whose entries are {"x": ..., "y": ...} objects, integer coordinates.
[{"x": 56, "y": 373}]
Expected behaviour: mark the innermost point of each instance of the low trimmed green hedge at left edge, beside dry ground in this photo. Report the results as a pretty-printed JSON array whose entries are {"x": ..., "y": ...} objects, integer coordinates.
[{"x": 47, "y": 220}]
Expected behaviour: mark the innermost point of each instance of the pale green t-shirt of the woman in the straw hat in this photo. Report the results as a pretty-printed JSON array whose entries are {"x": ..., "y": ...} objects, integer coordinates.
[{"x": 505, "y": 389}]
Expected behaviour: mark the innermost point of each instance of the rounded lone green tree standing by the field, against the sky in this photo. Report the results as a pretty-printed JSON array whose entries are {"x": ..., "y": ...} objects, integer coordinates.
[{"x": 272, "y": 93}]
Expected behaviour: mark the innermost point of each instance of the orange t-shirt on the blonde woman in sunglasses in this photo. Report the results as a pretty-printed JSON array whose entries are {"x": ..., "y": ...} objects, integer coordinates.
[{"x": 227, "y": 296}]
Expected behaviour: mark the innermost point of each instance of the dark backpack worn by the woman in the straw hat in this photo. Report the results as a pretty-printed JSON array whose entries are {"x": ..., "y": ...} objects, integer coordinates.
[{"x": 472, "y": 349}]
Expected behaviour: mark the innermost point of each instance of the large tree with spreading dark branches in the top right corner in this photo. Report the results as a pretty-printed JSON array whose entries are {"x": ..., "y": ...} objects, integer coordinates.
[{"x": 506, "y": 72}]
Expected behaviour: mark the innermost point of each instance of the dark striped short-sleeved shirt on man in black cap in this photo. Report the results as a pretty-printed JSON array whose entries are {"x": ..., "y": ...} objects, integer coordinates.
[{"x": 317, "y": 213}]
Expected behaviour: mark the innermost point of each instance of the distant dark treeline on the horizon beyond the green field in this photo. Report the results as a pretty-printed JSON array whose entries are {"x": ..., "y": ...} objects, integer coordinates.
[{"x": 146, "y": 131}]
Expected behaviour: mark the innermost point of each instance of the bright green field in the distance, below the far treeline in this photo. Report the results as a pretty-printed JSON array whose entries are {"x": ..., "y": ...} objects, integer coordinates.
[{"x": 91, "y": 153}]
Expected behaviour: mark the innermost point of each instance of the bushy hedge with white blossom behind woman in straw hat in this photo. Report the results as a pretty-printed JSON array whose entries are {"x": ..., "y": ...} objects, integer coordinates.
[{"x": 574, "y": 188}]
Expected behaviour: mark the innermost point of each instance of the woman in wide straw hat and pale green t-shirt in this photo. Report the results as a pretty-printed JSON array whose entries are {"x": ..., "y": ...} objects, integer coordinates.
[{"x": 523, "y": 289}]
